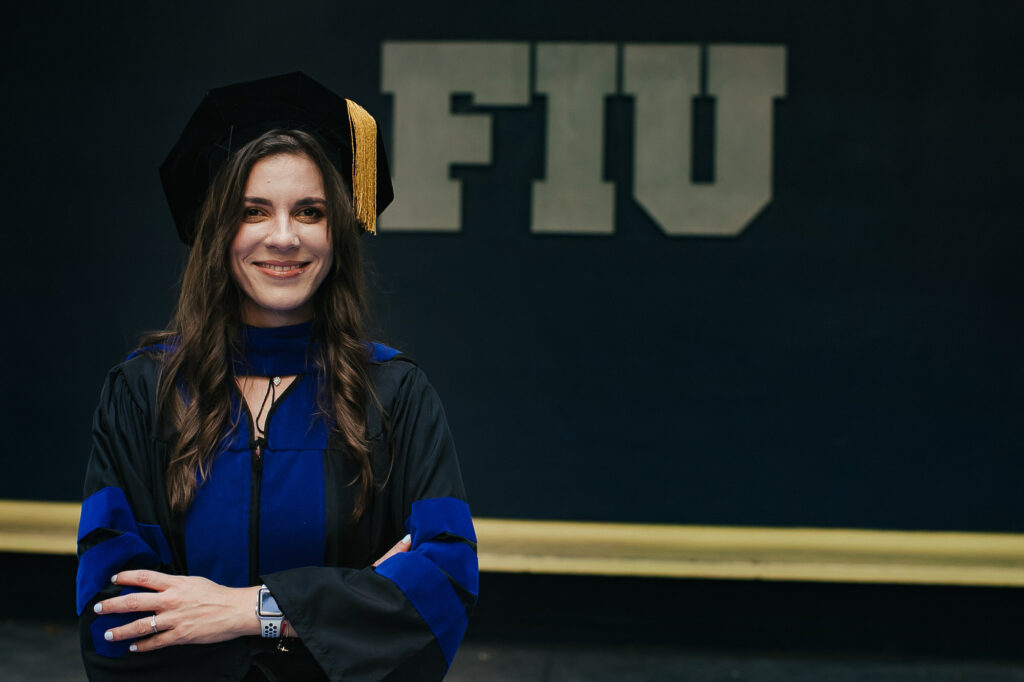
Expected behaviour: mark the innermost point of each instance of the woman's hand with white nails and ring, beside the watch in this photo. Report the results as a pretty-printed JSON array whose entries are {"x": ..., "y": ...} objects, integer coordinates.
[{"x": 189, "y": 611}]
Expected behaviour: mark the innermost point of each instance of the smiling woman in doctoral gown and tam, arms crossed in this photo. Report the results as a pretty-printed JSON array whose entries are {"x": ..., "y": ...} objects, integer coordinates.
[{"x": 254, "y": 465}]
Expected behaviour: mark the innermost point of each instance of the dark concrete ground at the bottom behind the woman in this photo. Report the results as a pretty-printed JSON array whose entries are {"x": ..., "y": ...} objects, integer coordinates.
[{"x": 49, "y": 653}]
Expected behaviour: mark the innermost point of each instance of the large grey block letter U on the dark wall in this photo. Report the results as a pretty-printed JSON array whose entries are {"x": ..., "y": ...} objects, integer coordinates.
[{"x": 744, "y": 81}]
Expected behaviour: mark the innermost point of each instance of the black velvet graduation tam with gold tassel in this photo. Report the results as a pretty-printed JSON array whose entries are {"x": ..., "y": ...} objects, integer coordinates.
[{"x": 233, "y": 116}]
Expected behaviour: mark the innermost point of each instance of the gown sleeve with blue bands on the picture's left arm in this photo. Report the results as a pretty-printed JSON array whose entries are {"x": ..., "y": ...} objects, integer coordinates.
[{"x": 120, "y": 529}]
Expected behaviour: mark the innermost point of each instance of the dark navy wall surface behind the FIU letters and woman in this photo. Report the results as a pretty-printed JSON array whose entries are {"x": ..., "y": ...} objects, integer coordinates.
[{"x": 851, "y": 360}]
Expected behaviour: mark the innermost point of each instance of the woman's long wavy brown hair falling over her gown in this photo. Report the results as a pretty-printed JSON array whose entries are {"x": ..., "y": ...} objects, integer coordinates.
[{"x": 194, "y": 391}]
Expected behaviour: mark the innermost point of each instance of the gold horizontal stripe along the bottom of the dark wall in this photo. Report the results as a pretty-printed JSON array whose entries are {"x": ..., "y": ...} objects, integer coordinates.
[{"x": 665, "y": 551}]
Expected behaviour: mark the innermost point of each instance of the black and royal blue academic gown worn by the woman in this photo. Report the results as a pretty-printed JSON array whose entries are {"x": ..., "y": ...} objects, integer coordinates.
[{"x": 276, "y": 509}]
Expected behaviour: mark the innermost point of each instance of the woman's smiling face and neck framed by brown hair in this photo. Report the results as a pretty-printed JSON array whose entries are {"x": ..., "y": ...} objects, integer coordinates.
[{"x": 282, "y": 251}]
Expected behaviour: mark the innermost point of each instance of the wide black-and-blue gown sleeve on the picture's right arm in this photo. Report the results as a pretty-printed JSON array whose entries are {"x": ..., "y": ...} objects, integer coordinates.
[{"x": 404, "y": 620}]
